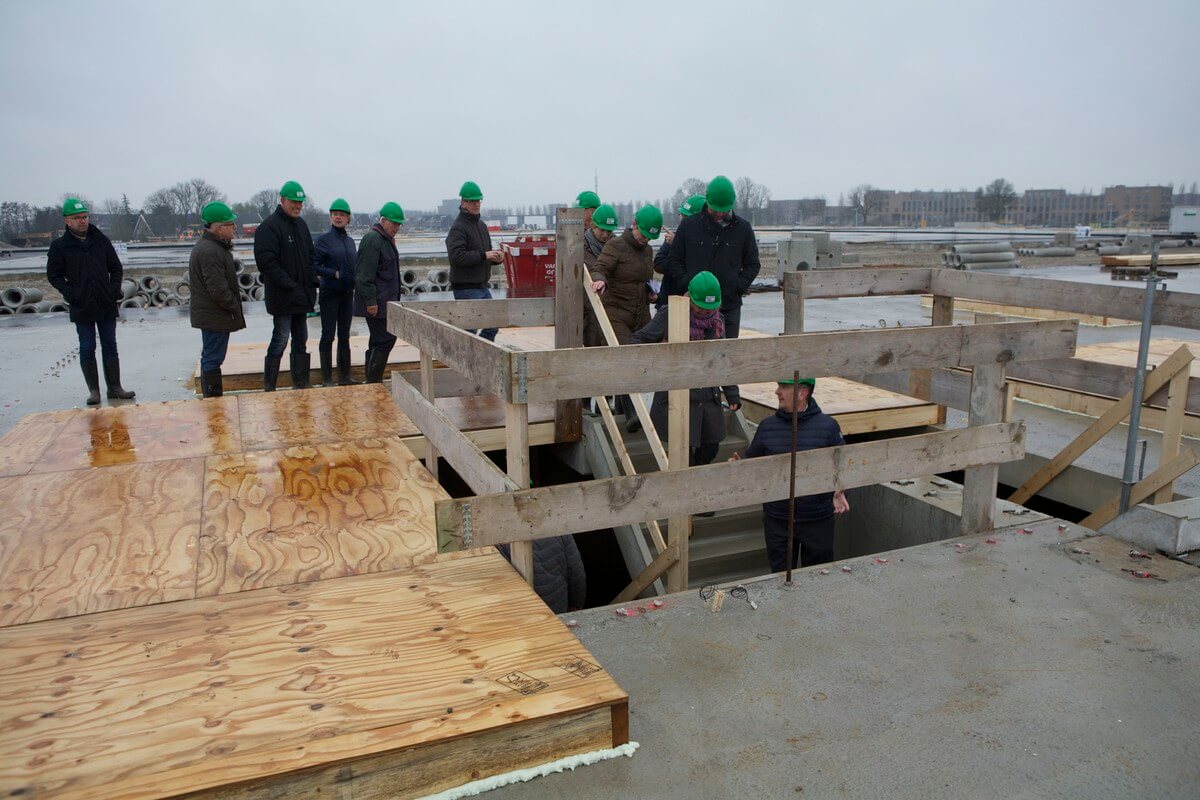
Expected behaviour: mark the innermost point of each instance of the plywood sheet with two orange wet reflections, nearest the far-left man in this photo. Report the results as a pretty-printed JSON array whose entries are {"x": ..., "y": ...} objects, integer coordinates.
[{"x": 145, "y": 434}]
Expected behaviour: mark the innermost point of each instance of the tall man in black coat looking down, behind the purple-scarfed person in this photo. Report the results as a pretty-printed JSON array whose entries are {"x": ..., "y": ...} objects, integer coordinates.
[{"x": 717, "y": 242}]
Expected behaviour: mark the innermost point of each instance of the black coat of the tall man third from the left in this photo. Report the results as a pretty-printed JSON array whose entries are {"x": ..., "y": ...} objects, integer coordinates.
[{"x": 284, "y": 254}]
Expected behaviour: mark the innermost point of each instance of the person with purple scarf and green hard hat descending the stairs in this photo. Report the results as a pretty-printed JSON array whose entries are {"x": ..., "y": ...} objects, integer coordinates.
[{"x": 707, "y": 418}]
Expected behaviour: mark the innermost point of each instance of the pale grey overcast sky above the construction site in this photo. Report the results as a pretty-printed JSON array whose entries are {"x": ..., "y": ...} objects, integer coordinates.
[{"x": 404, "y": 101}]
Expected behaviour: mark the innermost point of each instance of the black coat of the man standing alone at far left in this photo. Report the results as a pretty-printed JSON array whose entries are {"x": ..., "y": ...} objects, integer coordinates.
[{"x": 88, "y": 275}]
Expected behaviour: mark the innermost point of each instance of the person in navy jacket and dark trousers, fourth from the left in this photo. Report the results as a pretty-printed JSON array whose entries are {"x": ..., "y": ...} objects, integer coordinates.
[{"x": 334, "y": 257}]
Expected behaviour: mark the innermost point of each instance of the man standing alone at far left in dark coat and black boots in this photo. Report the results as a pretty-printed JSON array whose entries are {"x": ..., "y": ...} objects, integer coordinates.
[{"x": 83, "y": 266}]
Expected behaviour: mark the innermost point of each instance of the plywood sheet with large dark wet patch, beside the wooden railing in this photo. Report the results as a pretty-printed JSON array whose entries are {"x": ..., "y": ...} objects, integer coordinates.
[{"x": 316, "y": 512}]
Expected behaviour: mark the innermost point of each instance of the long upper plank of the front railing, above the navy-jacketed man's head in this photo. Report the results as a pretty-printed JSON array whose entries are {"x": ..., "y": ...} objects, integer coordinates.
[{"x": 651, "y": 368}]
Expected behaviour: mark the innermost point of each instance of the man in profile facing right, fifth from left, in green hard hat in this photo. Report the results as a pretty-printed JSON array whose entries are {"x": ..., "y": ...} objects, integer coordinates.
[{"x": 376, "y": 285}]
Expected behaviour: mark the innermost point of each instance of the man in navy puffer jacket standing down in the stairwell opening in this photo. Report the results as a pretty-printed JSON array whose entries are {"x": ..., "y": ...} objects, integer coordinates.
[{"x": 813, "y": 530}]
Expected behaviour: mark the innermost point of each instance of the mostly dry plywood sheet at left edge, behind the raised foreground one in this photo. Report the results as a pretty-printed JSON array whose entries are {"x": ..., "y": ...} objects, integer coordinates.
[{"x": 95, "y": 540}]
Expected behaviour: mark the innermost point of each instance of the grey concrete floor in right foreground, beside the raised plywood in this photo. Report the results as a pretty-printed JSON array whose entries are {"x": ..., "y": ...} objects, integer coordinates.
[{"x": 1013, "y": 670}]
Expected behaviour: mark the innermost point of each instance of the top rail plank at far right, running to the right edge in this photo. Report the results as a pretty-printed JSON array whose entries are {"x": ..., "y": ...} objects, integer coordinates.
[{"x": 1179, "y": 309}]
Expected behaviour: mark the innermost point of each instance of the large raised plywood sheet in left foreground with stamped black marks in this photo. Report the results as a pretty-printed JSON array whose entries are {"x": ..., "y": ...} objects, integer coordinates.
[{"x": 169, "y": 700}]
